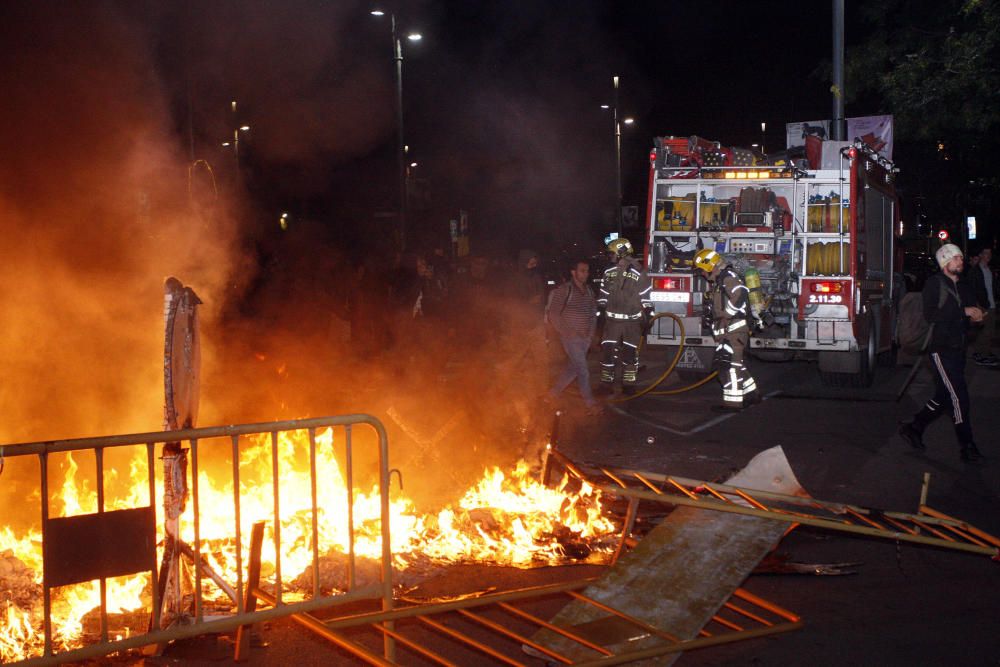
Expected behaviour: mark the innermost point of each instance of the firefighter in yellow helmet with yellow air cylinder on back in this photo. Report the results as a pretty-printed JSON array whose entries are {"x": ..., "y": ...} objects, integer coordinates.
[{"x": 728, "y": 308}]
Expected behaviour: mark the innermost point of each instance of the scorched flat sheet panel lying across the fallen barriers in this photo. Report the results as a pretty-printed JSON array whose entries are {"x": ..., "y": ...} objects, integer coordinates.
[{"x": 679, "y": 575}]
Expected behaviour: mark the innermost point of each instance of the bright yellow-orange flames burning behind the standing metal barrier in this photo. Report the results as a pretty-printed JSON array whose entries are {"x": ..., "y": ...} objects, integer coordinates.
[{"x": 507, "y": 519}]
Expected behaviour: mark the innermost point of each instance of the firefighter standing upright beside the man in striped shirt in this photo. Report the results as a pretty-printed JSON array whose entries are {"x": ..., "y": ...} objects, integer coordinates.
[{"x": 623, "y": 302}]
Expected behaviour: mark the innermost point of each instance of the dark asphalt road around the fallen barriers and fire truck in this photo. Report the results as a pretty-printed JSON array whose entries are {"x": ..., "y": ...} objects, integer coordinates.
[{"x": 906, "y": 604}]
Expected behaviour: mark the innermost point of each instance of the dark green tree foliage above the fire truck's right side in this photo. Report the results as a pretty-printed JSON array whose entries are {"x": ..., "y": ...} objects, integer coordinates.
[{"x": 936, "y": 68}]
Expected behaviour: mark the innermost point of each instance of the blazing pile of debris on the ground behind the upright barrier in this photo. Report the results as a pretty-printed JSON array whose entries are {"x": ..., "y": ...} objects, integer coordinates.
[{"x": 507, "y": 519}]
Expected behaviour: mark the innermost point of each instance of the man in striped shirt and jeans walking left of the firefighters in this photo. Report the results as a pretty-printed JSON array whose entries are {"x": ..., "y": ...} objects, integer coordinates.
[{"x": 572, "y": 312}]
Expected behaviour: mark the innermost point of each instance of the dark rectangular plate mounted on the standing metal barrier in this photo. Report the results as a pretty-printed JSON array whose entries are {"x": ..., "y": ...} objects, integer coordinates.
[{"x": 95, "y": 546}]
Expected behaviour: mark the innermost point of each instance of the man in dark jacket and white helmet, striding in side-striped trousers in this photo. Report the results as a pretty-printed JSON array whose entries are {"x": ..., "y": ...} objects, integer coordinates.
[{"x": 948, "y": 313}]
